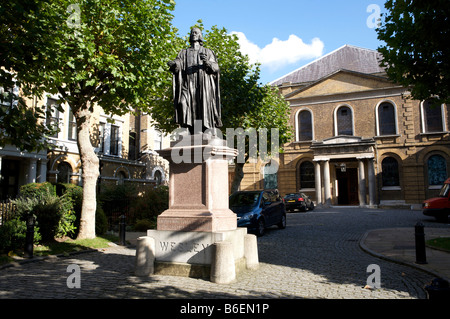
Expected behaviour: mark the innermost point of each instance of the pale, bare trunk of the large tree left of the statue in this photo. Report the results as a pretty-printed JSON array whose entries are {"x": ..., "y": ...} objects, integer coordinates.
[{"x": 90, "y": 167}]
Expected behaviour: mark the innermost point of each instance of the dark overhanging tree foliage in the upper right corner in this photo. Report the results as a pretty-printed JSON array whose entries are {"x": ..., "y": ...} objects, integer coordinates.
[{"x": 416, "y": 51}]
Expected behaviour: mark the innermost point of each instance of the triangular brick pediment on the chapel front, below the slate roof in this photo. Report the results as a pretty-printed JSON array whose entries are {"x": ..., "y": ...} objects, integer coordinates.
[{"x": 341, "y": 82}]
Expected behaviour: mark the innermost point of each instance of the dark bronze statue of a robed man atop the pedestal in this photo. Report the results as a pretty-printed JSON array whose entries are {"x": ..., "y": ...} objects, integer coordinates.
[{"x": 196, "y": 85}]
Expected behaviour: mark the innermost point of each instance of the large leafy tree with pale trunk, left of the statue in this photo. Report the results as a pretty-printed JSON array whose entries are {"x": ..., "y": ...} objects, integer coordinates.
[{"x": 95, "y": 52}]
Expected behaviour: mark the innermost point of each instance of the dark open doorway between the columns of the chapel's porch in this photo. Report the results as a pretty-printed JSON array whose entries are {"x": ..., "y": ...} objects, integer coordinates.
[{"x": 347, "y": 186}]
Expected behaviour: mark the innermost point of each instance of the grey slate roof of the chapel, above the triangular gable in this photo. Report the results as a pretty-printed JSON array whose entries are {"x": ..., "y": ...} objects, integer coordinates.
[{"x": 347, "y": 57}]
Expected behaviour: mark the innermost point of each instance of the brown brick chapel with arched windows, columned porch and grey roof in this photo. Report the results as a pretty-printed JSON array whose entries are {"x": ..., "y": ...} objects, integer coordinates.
[{"x": 359, "y": 138}]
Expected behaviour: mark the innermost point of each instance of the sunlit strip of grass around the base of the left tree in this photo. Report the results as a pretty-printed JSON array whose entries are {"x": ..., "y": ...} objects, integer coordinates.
[{"x": 63, "y": 247}]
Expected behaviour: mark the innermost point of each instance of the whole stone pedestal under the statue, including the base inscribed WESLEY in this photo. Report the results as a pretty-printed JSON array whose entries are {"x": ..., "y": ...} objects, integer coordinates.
[{"x": 197, "y": 236}]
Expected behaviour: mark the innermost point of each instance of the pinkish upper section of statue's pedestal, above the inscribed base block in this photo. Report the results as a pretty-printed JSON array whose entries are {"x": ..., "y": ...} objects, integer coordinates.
[{"x": 198, "y": 185}]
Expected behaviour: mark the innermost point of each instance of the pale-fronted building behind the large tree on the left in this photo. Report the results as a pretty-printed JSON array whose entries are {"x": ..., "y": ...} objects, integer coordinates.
[{"x": 126, "y": 147}]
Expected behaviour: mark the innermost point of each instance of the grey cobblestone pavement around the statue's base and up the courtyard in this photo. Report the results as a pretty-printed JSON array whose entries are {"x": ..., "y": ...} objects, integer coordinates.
[{"x": 316, "y": 256}]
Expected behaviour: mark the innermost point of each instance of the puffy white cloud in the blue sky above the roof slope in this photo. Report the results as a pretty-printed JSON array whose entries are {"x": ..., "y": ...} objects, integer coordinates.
[{"x": 280, "y": 53}]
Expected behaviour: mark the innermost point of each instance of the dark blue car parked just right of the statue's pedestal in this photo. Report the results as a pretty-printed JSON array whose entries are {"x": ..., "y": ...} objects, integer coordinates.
[{"x": 258, "y": 210}]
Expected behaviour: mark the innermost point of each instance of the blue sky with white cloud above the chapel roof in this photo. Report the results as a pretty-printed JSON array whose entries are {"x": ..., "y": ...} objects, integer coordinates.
[{"x": 284, "y": 35}]
